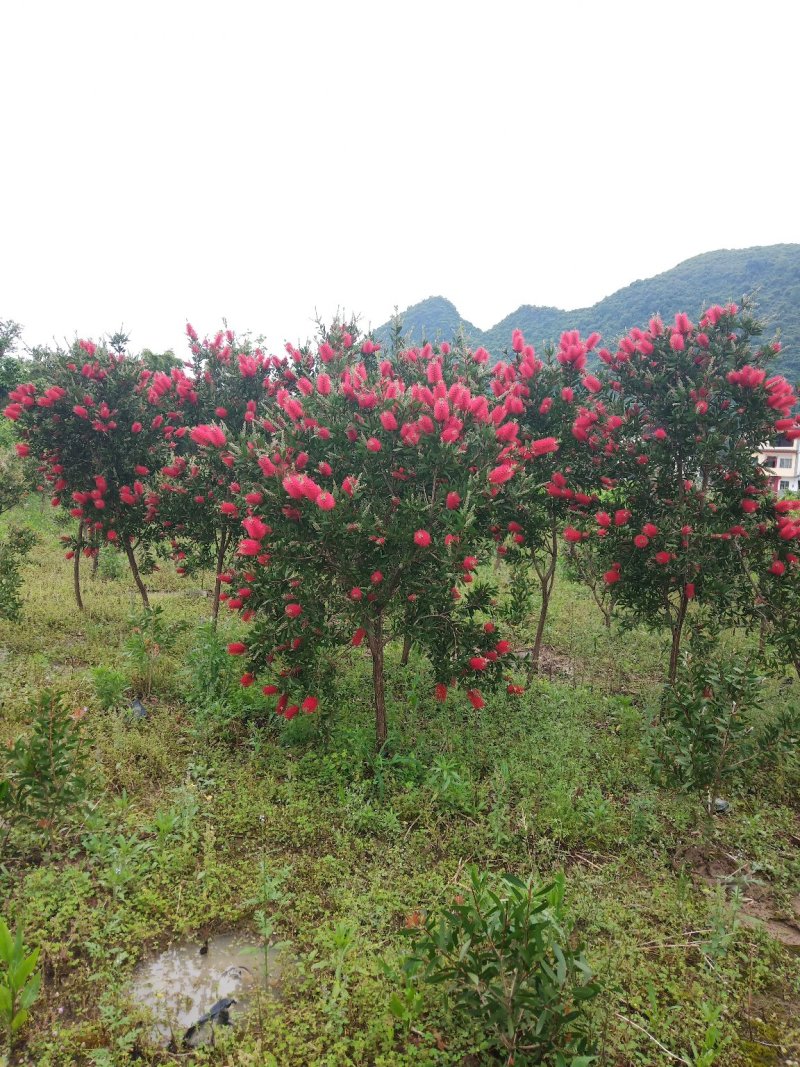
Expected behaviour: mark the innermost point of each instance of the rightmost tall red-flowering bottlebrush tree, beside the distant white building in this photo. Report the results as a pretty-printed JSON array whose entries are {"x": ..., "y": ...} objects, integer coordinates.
[{"x": 682, "y": 517}]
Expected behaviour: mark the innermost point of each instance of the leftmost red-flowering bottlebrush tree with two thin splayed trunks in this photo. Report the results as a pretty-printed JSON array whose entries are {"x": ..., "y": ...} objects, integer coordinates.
[{"x": 99, "y": 435}]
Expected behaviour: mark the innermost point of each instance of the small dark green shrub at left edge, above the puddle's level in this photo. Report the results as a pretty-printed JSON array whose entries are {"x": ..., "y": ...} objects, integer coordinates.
[{"x": 42, "y": 779}]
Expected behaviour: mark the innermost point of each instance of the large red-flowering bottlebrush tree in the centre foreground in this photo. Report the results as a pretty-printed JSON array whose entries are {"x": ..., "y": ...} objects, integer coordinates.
[{"x": 365, "y": 515}]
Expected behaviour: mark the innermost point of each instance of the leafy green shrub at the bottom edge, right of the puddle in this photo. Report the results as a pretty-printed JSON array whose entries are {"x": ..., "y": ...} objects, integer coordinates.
[{"x": 504, "y": 953}]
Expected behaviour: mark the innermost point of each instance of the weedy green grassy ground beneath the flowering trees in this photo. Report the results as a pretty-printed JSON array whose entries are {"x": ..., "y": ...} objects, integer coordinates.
[{"x": 191, "y": 805}]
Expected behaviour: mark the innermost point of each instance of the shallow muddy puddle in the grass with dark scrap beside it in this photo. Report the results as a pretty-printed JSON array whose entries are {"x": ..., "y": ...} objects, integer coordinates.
[{"x": 189, "y": 992}]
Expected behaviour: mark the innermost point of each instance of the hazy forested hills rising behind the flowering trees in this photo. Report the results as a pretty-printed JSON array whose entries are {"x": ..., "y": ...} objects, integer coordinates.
[{"x": 771, "y": 274}]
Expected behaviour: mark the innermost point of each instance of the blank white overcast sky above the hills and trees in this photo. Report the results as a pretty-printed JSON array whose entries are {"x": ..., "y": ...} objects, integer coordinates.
[{"x": 172, "y": 161}]
